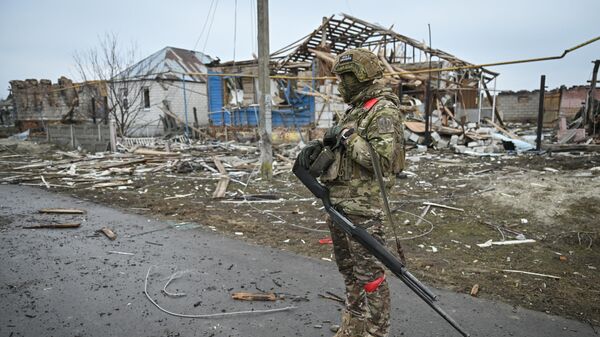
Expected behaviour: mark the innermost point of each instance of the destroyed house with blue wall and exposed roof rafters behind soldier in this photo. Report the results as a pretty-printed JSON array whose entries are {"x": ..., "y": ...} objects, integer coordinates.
[{"x": 305, "y": 90}]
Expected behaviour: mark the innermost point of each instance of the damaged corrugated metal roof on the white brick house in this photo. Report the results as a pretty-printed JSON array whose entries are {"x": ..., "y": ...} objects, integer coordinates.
[{"x": 170, "y": 63}]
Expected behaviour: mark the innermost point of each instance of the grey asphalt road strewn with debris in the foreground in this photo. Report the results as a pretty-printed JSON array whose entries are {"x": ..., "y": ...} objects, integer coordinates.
[{"x": 66, "y": 282}]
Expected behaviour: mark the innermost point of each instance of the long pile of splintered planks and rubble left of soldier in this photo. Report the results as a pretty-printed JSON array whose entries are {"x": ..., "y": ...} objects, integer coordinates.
[{"x": 75, "y": 169}]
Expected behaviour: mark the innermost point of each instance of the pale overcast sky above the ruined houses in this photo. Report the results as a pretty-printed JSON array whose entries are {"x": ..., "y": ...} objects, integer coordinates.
[{"x": 38, "y": 38}]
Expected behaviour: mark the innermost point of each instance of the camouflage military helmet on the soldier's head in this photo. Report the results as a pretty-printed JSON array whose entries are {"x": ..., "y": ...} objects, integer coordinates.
[{"x": 363, "y": 63}]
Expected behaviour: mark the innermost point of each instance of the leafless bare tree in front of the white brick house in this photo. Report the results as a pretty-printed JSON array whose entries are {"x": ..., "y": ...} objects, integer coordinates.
[{"x": 125, "y": 80}]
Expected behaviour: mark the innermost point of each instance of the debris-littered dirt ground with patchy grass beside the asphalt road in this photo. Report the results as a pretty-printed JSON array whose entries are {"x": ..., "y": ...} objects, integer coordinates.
[{"x": 552, "y": 199}]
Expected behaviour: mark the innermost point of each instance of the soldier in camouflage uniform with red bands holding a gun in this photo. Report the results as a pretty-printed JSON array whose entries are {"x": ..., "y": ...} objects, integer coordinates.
[{"x": 372, "y": 119}]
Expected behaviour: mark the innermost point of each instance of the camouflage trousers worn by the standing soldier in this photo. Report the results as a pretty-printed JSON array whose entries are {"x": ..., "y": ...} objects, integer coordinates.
[{"x": 367, "y": 314}]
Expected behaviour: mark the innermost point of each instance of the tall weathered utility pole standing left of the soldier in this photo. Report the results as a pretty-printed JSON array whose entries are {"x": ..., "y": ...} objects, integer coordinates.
[{"x": 264, "y": 91}]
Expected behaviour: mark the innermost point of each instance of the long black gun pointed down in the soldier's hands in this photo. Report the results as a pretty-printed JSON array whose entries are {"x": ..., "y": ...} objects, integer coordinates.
[{"x": 372, "y": 245}]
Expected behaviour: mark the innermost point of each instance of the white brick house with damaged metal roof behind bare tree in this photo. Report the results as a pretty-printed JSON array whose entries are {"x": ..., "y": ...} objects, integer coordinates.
[{"x": 166, "y": 90}]
